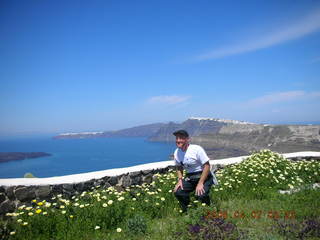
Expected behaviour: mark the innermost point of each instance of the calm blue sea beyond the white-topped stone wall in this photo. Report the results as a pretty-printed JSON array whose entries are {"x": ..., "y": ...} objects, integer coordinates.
[{"x": 72, "y": 156}]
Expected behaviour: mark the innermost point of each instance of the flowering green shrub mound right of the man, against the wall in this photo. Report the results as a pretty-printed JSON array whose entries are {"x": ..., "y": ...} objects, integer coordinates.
[{"x": 264, "y": 171}]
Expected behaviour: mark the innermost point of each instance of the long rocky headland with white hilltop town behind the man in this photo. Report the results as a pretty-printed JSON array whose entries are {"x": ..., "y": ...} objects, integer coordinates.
[{"x": 223, "y": 138}]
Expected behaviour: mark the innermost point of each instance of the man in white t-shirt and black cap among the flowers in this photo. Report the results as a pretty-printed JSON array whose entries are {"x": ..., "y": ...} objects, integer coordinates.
[{"x": 195, "y": 161}]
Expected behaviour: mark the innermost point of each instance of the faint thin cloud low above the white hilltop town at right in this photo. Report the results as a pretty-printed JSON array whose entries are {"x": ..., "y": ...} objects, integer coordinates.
[{"x": 276, "y": 97}]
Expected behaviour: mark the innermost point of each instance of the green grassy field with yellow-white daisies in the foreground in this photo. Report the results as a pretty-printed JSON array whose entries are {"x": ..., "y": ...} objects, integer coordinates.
[{"x": 245, "y": 205}]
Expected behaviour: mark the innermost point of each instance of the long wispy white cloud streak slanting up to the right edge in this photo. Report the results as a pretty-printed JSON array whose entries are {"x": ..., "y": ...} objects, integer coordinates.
[{"x": 307, "y": 25}]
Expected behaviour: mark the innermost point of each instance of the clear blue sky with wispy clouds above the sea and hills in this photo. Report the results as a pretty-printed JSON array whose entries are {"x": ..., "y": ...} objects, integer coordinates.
[{"x": 70, "y": 66}]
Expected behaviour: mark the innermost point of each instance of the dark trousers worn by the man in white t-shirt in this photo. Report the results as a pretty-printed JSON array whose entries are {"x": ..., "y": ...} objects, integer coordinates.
[{"x": 189, "y": 185}]
